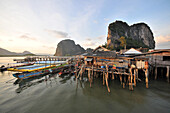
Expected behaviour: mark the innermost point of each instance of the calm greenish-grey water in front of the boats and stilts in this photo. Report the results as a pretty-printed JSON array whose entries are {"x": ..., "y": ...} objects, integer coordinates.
[{"x": 52, "y": 94}]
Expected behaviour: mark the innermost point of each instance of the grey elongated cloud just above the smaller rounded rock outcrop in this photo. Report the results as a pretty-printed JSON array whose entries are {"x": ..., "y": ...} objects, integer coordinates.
[{"x": 58, "y": 34}]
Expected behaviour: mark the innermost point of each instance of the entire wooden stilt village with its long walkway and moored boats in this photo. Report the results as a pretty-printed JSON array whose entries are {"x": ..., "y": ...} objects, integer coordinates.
[{"x": 127, "y": 66}]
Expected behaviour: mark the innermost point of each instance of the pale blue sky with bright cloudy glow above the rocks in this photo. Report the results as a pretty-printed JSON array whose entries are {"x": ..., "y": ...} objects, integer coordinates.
[{"x": 39, "y": 25}]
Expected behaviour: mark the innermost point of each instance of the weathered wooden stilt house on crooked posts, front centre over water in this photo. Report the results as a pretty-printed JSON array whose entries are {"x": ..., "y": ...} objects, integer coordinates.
[{"x": 108, "y": 65}]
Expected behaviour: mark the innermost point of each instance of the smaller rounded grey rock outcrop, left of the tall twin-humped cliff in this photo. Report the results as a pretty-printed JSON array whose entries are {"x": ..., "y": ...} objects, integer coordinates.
[{"x": 68, "y": 47}]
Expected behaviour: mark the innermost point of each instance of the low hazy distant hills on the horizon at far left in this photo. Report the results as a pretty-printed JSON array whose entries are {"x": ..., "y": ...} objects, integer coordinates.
[{"x": 4, "y": 52}]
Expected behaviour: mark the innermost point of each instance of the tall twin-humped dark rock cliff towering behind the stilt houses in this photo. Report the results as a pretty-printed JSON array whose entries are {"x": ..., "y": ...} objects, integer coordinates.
[{"x": 137, "y": 35}]
